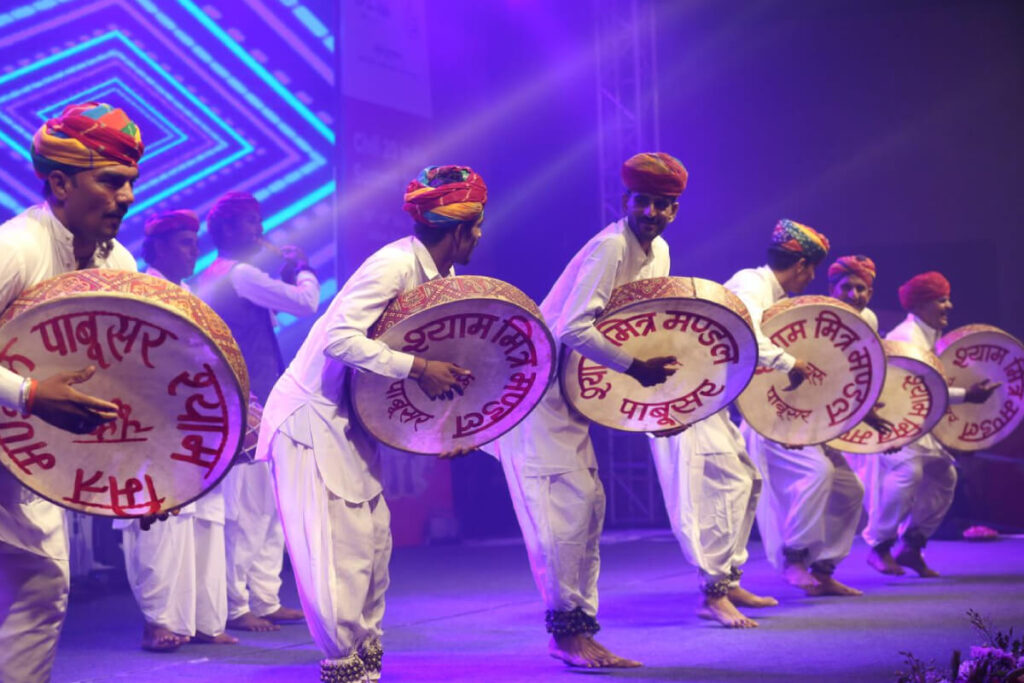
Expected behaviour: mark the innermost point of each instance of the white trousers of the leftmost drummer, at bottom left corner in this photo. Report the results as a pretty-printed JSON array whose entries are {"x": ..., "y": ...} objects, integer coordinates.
[{"x": 33, "y": 604}]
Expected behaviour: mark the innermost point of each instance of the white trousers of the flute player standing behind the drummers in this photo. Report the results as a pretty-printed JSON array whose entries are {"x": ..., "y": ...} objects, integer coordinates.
[{"x": 254, "y": 540}]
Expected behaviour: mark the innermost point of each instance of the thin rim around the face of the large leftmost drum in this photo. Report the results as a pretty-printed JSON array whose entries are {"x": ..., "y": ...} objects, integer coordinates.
[{"x": 176, "y": 312}]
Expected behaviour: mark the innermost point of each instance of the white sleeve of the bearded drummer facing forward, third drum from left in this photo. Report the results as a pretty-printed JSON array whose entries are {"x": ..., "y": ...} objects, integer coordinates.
[{"x": 587, "y": 300}]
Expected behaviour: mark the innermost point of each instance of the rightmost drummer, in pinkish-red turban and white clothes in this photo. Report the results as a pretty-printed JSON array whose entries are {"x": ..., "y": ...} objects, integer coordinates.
[{"x": 911, "y": 491}]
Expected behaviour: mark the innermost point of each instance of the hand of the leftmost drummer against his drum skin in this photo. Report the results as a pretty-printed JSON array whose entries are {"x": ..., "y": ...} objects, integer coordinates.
[{"x": 57, "y": 403}]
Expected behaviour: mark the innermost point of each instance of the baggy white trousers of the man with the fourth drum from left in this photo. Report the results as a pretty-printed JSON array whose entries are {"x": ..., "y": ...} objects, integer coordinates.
[{"x": 711, "y": 498}]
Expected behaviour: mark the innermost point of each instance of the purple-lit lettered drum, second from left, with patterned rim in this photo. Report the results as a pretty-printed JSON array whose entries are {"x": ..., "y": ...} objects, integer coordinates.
[{"x": 481, "y": 324}]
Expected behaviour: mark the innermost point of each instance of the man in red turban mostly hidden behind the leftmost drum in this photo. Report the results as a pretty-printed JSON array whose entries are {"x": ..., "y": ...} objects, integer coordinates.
[{"x": 176, "y": 569}]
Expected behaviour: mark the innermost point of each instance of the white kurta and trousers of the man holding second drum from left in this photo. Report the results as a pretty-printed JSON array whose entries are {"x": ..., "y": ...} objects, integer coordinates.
[{"x": 327, "y": 467}]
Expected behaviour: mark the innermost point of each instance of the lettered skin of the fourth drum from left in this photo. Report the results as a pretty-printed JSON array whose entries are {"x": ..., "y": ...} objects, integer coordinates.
[{"x": 848, "y": 365}]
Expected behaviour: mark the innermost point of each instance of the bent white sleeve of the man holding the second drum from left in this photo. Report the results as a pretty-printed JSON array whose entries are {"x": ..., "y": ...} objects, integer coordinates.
[{"x": 355, "y": 310}]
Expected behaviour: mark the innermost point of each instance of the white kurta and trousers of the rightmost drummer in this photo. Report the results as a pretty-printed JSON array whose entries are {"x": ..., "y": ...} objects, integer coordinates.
[{"x": 910, "y": 492}]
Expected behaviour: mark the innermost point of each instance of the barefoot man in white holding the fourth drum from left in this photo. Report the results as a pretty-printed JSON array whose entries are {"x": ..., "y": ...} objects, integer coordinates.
[{"x": 709, "y": 482}]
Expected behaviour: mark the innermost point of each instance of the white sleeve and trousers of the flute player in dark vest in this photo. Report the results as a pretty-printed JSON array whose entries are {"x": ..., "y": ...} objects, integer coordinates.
[{"x": 253, "y": 534}]
